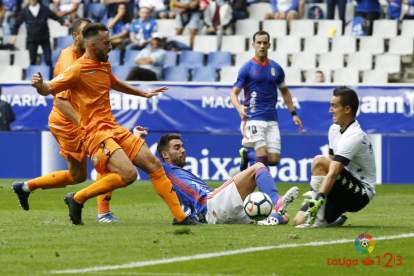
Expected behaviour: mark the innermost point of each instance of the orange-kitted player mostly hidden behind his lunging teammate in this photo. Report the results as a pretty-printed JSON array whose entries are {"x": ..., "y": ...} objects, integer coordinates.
[{"x": 67, "y": 133}]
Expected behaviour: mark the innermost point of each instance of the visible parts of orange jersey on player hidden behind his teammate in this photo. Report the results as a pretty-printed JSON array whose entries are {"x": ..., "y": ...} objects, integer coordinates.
[{"x": 66, "y": 58}]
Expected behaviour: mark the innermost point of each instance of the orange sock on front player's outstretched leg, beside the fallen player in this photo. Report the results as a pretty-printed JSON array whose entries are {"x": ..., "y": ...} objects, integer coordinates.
[{"x": 164, "y": 189}]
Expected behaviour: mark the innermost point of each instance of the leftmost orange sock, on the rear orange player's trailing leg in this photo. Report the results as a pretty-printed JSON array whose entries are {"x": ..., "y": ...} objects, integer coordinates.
[{"x": 53, "y": 180}]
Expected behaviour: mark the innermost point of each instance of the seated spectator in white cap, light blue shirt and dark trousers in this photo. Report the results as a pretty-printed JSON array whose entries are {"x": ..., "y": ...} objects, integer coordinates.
[{"x": 150, "y": 60}]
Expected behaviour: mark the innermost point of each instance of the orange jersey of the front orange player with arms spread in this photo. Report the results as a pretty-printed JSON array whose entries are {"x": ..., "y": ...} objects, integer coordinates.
[{"x": 90, "y": 82}]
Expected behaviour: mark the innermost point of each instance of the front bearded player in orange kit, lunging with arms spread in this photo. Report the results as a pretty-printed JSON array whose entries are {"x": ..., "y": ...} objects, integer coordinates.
[{"x": 114, "y": 150}]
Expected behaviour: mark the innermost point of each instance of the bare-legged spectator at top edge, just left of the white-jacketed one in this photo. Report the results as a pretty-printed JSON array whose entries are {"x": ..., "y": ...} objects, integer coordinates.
[{"x": 187, "y": 13}]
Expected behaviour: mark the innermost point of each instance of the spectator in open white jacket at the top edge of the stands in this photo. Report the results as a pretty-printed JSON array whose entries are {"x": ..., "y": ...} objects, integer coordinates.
[{"x": 217, "y": 17}]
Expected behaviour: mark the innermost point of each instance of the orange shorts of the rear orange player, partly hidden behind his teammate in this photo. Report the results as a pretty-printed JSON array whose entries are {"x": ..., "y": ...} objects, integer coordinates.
[{"x": 67, "y": 135}]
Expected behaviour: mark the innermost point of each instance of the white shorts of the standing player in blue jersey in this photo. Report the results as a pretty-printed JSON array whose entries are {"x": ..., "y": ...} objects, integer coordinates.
[{"x": 257, "y": 134}]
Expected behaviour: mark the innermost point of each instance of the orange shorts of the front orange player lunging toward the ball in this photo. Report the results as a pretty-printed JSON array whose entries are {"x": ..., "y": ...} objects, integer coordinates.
[{"x": 105, "y": 141}]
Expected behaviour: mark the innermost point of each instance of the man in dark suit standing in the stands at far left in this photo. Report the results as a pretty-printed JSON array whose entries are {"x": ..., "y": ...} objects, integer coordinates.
[{"x": 35, "y": 15}]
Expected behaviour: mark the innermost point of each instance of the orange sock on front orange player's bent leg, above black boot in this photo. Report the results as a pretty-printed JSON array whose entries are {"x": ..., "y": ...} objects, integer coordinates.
[{"x": 107, "y": 184}]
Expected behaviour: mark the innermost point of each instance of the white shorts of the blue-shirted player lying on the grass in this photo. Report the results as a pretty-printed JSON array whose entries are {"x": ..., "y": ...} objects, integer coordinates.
[{"x": 225, "y": 205}]
